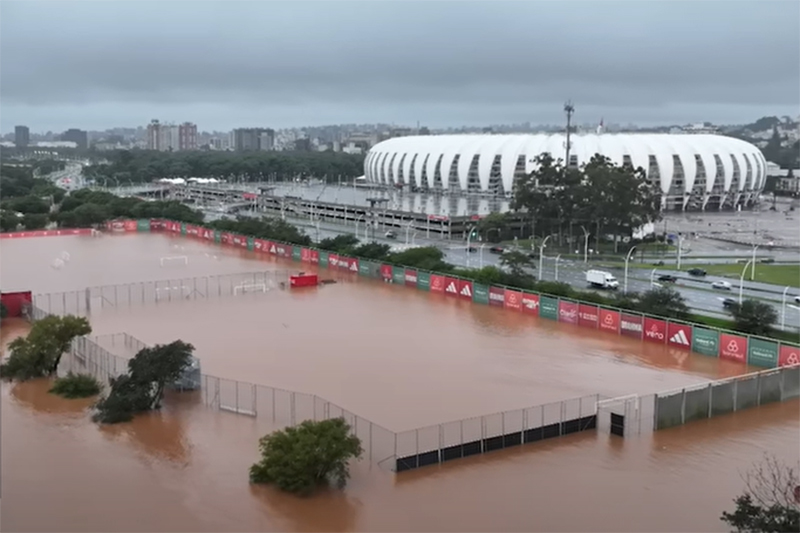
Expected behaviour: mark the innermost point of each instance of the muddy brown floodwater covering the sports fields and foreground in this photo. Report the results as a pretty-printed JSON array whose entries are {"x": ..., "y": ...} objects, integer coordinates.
[{"x": 399, "y": 357}]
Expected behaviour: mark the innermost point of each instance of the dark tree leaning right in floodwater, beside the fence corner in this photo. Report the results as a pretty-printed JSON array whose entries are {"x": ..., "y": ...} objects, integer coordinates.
[{"x": 142, "y": 388}]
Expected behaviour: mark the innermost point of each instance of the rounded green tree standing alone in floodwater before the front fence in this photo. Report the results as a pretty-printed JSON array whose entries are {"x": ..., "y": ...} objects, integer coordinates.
[{"x": 301, "y": 458}]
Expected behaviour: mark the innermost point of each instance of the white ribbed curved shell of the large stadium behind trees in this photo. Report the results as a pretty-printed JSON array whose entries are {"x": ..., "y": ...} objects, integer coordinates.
[{"x": 694, "y": 172}]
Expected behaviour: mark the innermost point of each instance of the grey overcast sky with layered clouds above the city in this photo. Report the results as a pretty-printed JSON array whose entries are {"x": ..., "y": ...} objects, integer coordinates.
[{"x": 99, "y": 64}]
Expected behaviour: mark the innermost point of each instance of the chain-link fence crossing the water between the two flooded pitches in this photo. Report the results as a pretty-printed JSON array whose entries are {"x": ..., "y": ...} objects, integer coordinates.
[{"x": 83, "y": 302}]
